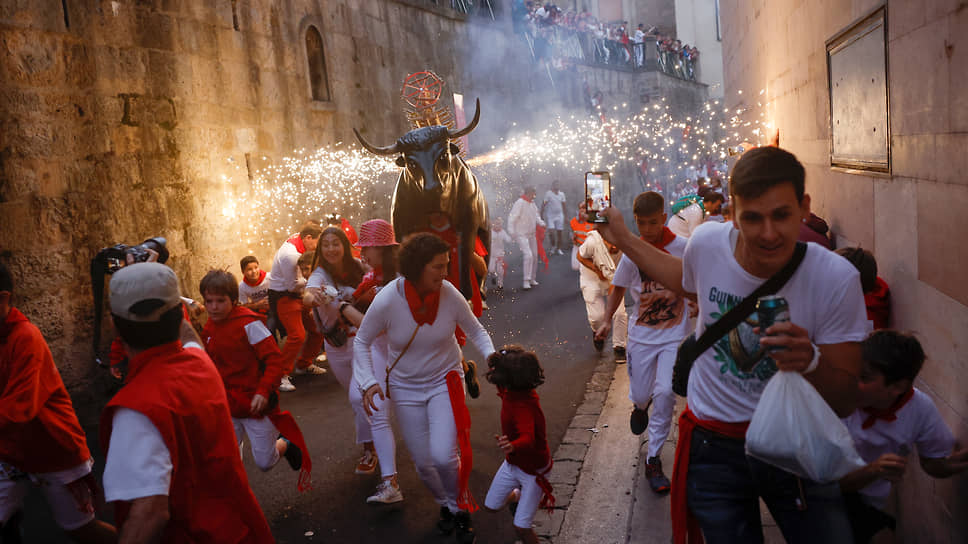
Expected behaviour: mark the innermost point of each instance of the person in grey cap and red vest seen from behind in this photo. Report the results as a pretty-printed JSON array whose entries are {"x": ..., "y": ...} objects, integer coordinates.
[{"x": 173, "y": 466}]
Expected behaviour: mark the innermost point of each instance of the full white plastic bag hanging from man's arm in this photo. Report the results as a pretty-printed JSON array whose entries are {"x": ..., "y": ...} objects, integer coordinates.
[{"x": 794, "y": 429}]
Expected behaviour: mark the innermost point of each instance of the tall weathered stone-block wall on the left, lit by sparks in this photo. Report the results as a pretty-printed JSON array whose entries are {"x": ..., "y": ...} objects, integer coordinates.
[{"x": 124, "y": 120}]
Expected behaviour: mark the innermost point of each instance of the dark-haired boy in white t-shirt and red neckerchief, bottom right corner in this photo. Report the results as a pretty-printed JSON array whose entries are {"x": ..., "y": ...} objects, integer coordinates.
[{"x": 893, "y": 416}]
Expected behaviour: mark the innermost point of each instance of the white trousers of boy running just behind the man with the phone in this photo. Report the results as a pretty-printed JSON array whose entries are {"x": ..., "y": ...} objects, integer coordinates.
[{"x": 650, "y": 377}]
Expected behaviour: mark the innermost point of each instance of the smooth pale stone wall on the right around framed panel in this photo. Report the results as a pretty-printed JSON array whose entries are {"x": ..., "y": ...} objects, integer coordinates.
[{"x": 912, "y": 218}]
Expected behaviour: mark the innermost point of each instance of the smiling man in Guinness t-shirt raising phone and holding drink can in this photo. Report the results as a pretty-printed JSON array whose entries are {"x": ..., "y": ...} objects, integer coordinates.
[{"x": 714, "y": 485}]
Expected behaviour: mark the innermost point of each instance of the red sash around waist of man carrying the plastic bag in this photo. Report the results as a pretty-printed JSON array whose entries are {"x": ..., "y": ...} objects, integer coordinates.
[{"x": 685, "y": 527}]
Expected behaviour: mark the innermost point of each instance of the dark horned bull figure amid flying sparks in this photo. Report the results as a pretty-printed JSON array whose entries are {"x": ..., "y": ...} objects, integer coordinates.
[{"x": 436, "y": 179}]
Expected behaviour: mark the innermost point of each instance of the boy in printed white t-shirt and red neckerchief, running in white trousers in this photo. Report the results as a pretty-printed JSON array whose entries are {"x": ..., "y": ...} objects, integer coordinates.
[{"x": 659, "y": 323}]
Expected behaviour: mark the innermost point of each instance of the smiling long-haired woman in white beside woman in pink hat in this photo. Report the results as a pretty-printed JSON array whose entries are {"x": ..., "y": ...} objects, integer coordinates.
[{"x": 336, "y": 274}]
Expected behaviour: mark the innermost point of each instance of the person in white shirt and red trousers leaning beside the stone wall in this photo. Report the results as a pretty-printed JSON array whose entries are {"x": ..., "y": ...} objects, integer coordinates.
[{"x": 285, "y": 296}]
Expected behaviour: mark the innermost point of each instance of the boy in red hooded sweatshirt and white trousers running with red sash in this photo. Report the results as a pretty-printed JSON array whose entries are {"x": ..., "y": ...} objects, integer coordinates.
[{"x": 251, "y": 367}]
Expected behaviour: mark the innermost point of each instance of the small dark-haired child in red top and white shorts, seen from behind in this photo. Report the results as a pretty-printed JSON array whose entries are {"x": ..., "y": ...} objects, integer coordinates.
[{"x": 522, "y": 479}]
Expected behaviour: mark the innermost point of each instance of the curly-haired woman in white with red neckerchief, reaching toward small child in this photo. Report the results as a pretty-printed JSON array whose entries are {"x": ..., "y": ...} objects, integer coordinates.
[{"x": 418, "y": 314}]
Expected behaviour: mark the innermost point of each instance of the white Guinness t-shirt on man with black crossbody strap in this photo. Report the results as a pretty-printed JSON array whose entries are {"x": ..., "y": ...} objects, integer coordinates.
[{"x": 824, "y": 295}]
